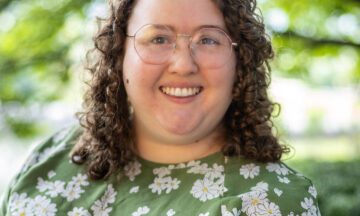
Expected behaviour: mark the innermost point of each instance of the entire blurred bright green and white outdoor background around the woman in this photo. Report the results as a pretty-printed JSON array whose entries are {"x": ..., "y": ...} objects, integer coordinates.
[{"x": 315, "y": 78}]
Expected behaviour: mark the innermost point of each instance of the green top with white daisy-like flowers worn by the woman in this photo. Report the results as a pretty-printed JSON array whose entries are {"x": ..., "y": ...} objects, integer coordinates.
[{"x": 50, "y": 184}]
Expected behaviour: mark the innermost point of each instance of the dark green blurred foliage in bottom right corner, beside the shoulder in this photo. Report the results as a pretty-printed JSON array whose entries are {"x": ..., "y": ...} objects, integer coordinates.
[{"x": 337, "y": 184}]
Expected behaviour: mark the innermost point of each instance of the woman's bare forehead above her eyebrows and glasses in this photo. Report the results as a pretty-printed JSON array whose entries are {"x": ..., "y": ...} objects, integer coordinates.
[{"x": 182, "y": 15}]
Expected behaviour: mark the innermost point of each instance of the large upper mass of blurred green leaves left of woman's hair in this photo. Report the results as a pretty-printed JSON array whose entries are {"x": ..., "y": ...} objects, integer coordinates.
[{"x": 34, "y": 63}]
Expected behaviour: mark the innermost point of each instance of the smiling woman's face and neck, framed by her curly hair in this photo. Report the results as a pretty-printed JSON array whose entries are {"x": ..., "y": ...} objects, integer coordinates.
[{"x": 184, "y": 127}]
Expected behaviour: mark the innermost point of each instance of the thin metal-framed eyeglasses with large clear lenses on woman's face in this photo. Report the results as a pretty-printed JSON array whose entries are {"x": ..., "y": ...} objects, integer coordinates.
[{"x": 210, "y": 47}]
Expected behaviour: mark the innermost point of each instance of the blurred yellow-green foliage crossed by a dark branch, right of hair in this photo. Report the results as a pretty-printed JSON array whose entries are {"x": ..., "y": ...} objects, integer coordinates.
[{"x": 317, "y": 41}]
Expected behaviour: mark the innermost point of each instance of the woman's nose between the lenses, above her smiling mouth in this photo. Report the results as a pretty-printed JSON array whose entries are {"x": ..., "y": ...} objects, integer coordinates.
[{"x": 182, "y": 61}]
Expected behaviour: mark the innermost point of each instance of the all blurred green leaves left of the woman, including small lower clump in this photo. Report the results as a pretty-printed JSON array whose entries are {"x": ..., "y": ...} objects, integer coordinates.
[{"x": 36, "y": 64}]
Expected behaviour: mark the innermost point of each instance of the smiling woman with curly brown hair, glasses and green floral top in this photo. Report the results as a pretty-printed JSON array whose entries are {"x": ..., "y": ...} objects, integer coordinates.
[{"x": 177, "y": 122}]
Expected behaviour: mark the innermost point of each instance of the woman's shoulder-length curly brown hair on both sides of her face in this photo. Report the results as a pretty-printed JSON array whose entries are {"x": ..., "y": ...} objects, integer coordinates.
[{"x": 107, "y": 143}]
